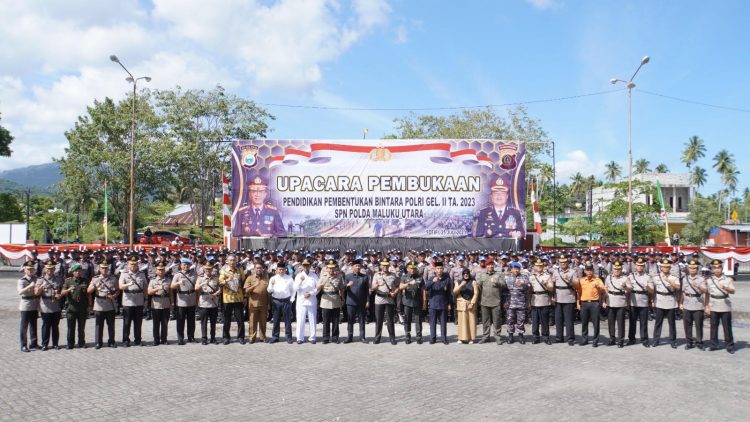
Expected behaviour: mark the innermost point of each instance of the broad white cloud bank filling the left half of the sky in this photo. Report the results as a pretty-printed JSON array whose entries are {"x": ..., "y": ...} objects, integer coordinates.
[{"x": 54, "y": 56}]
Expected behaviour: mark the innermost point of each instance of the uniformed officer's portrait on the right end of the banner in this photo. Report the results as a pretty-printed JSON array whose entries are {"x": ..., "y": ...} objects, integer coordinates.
[{"x": 499, "y": 218}]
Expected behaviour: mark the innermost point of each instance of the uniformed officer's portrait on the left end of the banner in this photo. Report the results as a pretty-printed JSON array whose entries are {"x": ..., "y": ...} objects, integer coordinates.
[{"x": 259, "y": 217}]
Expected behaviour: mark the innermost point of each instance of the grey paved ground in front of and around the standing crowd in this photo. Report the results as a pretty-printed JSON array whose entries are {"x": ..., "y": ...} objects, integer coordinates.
[{"x": 371, "y": 382}]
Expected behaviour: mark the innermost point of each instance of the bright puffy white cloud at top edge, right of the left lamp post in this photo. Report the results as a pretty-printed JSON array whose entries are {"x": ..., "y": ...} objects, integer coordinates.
[{"x": 282, "y": 45}]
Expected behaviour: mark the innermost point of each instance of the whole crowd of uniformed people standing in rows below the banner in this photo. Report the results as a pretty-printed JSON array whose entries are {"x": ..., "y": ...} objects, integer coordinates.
[{"x": 496, "y": 288}]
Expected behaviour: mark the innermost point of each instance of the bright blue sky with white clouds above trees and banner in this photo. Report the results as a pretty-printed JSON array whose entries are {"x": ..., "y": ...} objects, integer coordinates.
[{"x": 54, "y": 61}]
